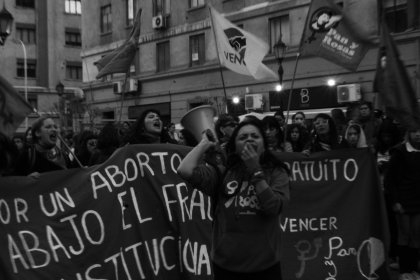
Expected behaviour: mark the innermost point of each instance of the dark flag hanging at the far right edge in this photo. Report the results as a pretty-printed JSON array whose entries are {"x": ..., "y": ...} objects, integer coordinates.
[{"x": 393, "y": 84}]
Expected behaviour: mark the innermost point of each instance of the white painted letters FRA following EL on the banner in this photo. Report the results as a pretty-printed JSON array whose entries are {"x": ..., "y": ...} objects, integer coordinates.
[{"x": 183, "y": 200}]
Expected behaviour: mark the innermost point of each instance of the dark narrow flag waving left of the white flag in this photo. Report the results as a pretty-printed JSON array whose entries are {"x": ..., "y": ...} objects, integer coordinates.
[{"x": 119, "y": 61}]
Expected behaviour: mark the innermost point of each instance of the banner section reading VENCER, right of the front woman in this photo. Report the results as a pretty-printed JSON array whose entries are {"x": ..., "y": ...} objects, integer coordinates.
[{"x": 335, "y": 225}]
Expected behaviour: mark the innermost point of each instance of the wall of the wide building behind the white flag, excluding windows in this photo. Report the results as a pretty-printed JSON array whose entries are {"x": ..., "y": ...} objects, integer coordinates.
[{"x": 183, "y": 85}]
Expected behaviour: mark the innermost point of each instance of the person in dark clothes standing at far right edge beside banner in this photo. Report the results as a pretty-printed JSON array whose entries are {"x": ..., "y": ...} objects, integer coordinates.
[{"x": 402, "y": 181}]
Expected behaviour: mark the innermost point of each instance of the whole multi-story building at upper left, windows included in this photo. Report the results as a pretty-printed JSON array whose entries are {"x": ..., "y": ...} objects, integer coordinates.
[{"x": 43, "y": 51}]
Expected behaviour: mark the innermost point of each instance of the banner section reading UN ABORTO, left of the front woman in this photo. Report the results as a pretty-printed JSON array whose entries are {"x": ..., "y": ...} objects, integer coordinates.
[{"x": 132, "y": 217}]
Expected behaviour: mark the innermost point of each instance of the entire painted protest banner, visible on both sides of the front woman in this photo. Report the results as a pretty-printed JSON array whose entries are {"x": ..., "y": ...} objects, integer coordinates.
[{"x": 133, "y": 217}]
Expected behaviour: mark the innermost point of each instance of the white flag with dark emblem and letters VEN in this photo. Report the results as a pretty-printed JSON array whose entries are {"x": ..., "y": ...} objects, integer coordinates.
[{"x": 238, "y": 50}]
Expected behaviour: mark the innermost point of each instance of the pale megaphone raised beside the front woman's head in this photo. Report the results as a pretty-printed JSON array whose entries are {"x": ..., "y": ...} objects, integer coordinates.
[{"x": 198, "y": 120}]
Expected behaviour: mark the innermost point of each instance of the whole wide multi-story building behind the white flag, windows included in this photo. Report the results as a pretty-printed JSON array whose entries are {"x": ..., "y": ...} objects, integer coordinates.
[{"x": 176, "y": 66}]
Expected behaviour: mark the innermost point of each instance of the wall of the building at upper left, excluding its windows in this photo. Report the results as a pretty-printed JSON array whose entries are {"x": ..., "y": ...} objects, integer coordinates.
[{"x": 50, "y": 52}]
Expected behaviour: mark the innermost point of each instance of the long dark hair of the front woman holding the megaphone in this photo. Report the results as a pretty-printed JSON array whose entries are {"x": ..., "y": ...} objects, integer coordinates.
[{"x": 267, "y": 158}]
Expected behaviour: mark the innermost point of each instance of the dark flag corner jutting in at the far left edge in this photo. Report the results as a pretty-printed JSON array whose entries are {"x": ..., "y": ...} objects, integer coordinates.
[{"x": 13, "y": 108}]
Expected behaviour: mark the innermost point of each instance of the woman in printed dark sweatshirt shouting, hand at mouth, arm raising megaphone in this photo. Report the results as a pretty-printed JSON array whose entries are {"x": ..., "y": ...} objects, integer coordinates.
[{"x": 249, "y": 195}]
